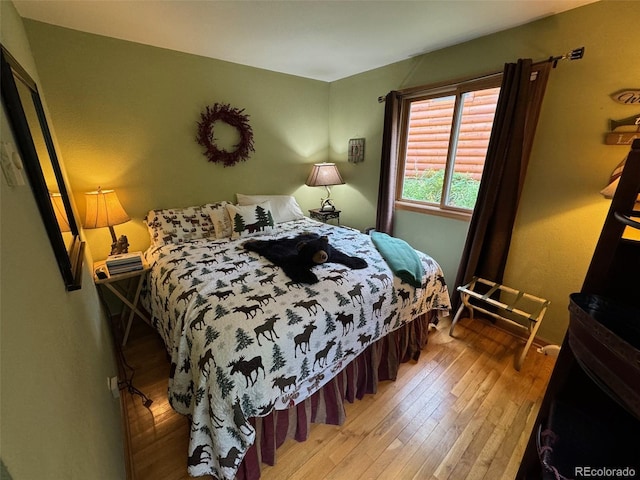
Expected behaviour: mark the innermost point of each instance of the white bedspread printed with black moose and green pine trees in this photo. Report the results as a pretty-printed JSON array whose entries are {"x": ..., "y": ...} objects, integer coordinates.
[{"x": 245, "y": 339}]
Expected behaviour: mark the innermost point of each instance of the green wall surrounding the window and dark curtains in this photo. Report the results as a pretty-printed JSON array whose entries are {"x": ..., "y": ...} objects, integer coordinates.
[{"x": 561, "y": 212}]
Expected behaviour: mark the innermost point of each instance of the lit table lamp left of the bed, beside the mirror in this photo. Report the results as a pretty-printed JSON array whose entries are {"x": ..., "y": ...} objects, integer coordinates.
[{"x": 104, "y": 210}]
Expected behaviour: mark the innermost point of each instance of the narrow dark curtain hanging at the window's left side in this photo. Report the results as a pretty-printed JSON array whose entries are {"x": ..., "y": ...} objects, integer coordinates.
[{"x": 388, "y": 164}]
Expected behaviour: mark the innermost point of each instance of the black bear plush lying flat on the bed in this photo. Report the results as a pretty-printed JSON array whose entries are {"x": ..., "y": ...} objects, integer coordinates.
[{"x": 297, "y": 255}]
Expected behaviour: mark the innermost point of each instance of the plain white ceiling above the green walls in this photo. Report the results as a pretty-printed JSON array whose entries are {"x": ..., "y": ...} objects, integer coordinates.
[{"x": 318, "y": 39}]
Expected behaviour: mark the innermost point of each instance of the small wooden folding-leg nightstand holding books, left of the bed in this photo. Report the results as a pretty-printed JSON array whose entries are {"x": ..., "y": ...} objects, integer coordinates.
[{"x": 127, "y": 287}]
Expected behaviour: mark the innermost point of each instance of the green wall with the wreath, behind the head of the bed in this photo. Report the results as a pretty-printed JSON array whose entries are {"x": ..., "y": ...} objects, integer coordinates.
[{"x": 127, "y": 118}]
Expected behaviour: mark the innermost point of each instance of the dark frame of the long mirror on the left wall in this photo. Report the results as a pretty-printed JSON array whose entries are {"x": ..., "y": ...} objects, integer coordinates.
[{"x": 69, "y": 259}]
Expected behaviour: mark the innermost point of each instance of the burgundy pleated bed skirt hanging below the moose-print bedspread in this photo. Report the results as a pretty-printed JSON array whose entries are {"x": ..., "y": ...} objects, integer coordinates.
[{"x": 380, "y": 361}]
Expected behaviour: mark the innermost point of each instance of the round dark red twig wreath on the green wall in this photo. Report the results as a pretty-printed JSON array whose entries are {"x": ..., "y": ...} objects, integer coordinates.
[{"x": 222, "y": 112}]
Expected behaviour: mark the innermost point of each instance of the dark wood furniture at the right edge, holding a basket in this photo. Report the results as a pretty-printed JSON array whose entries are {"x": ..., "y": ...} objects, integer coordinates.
[{"x": 588, "y": 425}]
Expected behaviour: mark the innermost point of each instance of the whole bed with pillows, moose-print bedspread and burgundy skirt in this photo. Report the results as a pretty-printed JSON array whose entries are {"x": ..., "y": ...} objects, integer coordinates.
[{"x": 256, "y": 357}]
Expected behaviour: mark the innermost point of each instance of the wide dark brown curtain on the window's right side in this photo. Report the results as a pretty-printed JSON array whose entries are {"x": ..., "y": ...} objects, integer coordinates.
[{"x": 487, "y": 245}]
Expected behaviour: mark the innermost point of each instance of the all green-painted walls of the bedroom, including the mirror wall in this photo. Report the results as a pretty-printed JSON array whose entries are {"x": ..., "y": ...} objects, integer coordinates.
[{"x": 124, "y": 117}]
